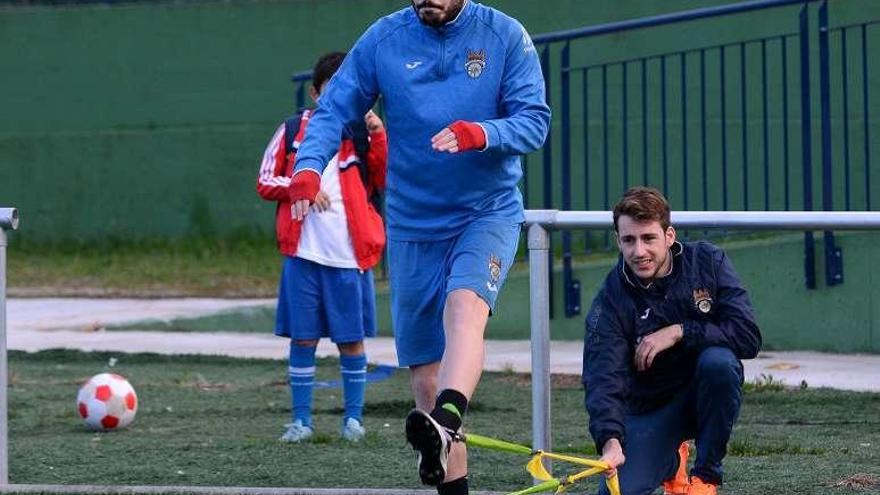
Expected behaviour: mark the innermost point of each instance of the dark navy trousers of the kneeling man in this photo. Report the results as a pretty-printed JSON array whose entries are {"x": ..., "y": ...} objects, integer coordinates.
[{"x": 704, "y": 410}]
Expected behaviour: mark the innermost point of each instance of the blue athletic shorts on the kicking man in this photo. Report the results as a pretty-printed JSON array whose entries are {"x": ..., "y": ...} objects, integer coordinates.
[{"x": 421, "y": 274}]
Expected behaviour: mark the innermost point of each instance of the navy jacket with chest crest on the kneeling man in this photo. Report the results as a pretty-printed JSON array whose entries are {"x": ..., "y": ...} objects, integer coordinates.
[{"x": 702, "y": 293}]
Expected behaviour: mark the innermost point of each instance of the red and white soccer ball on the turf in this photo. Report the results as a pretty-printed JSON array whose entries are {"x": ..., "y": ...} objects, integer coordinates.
[{"x": 107, "y": 402}]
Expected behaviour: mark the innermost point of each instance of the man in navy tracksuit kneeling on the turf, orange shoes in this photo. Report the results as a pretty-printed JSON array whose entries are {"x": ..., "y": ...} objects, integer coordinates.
[{"x": 662, "y": 350}]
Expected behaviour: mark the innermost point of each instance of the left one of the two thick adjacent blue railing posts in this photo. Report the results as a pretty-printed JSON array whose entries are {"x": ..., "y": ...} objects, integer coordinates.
[{"x": 807, "y": 145}]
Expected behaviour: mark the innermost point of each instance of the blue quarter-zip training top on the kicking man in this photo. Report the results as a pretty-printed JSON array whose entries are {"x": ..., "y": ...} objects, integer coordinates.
[{"x": 481, "y": 67}]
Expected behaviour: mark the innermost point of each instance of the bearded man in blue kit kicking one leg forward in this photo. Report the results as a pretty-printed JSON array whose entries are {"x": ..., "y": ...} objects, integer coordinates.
[{"x": 463, "y": 96}]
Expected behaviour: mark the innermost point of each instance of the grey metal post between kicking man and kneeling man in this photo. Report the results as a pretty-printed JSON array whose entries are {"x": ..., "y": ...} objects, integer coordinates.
[{"x": 539, "y": 310}]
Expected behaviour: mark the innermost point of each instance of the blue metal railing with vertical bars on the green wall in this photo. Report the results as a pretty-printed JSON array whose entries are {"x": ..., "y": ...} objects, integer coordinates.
[{"x": 713, "y": 124}]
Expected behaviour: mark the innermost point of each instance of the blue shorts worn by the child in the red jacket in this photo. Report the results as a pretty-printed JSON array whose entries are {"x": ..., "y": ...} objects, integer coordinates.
[{"x": 317, "y": 301}]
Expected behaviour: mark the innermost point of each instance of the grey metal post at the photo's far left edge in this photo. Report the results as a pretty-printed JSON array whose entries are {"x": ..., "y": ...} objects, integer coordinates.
[{"x": 8, "y": 220}]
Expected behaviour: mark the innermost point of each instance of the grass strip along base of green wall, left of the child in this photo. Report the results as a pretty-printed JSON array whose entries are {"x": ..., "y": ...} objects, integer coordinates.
[{"x": 242, "y": 266}]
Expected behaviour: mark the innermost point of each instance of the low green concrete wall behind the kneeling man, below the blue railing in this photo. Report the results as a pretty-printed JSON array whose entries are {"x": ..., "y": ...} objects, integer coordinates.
[{"x": 844, "y": 318}]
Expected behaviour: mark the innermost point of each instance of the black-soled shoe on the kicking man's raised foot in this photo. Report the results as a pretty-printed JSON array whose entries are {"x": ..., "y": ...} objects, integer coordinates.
[{"x": 433, "y": 443}]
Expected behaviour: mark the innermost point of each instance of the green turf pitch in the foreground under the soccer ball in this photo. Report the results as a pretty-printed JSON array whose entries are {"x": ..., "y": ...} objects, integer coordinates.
[{"x": 215, "y": 422}]
